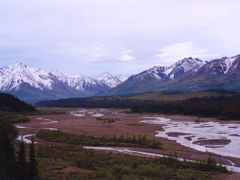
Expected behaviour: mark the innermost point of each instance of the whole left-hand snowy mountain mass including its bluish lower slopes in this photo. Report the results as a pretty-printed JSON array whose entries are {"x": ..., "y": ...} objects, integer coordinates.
[{"x": 33, "y": 84}]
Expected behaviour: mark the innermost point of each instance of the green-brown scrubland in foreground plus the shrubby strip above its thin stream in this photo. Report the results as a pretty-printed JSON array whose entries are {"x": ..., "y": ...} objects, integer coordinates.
[{"x": 70, "y": 161}]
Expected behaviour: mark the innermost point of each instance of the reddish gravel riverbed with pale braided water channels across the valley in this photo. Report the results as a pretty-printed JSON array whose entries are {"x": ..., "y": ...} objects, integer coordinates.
[{"x": 176, "y": 133}]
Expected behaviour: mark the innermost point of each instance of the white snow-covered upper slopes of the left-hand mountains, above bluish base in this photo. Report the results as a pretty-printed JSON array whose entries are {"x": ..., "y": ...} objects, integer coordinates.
[{"x": 13, "y": 76}]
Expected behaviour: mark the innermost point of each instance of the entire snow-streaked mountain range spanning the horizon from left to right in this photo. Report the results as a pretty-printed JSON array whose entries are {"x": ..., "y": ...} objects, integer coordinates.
[{"x": 186, "y": 75}]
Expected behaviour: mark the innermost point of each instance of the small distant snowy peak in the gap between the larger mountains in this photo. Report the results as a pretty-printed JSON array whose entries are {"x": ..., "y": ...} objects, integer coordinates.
[{"x": 109, "y": 79}]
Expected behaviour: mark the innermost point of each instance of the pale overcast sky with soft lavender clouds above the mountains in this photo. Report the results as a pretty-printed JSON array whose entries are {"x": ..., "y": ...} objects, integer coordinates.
[{"x": 118, "y": 36}]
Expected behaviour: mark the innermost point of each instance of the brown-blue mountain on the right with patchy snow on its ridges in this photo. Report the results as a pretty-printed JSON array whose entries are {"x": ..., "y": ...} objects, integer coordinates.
[{"x": 187, "y": 74}]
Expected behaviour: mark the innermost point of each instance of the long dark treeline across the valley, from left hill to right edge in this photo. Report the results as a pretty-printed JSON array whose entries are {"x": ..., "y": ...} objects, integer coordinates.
[{"x": 222, "y": 106}]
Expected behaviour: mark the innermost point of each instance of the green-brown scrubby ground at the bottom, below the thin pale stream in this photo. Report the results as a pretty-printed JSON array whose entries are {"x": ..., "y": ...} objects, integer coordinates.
[{"x": 74, "y": 162}]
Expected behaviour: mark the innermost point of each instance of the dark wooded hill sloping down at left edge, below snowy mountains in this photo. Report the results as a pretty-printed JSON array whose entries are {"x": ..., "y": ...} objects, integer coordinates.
[{"x": 9, "y": 103}]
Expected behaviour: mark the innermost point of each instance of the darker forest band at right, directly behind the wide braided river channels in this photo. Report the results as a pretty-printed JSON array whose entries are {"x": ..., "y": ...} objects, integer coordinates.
[{"x": 223, "y": 107}]
